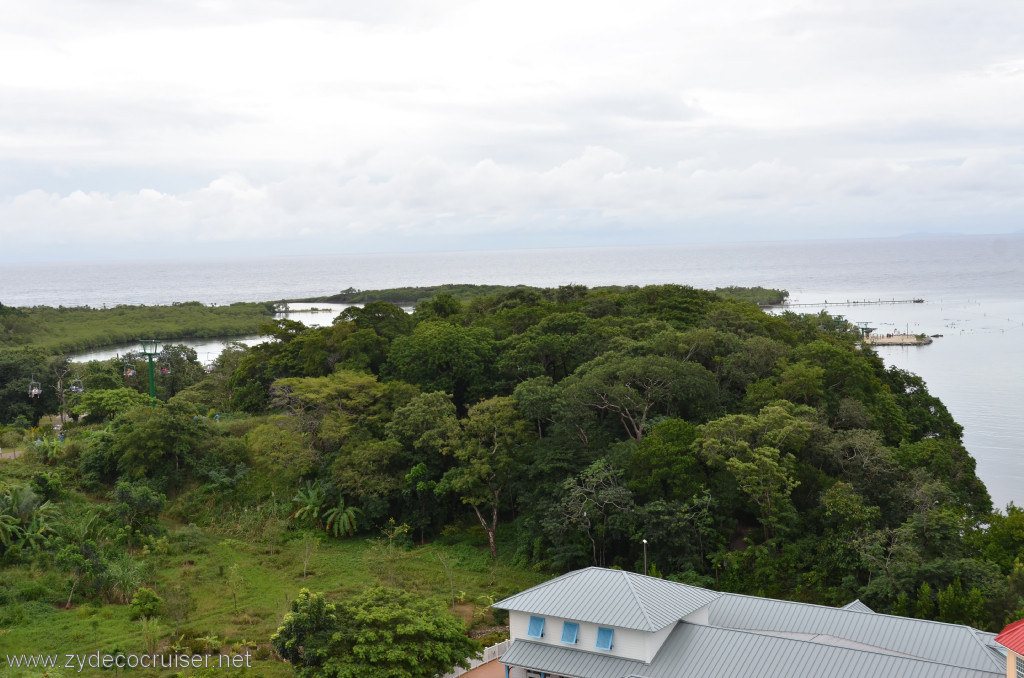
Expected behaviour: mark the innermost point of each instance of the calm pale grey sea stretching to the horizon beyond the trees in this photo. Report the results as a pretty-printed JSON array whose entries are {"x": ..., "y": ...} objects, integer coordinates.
[{"x": 973, "y": 290}]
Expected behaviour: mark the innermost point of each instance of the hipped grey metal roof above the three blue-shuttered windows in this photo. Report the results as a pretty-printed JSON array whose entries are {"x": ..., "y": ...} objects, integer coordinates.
[{"x": 614, "y": 598}]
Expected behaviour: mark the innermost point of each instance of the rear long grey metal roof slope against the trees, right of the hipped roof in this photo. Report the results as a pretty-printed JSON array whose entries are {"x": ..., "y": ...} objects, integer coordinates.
[{"x": 947, "y": 644}]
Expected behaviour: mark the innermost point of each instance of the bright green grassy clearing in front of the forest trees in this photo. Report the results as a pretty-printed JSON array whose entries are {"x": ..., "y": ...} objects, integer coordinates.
[{"x": 267, "y": 574}]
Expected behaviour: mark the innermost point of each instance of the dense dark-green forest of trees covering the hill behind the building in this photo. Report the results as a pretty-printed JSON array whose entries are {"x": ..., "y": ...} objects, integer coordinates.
[{"x": 767, "y": 454}]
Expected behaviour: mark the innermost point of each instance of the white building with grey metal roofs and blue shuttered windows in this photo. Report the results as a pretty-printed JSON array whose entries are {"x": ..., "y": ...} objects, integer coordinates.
[{"x": 599, "y": 623}]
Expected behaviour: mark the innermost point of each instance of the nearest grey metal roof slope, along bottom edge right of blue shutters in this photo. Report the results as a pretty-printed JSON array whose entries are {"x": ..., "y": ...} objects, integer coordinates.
[{"x": 714, "y": 653}]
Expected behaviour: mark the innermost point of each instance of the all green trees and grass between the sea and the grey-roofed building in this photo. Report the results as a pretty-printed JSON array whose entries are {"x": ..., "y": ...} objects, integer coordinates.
[{"x": 473, "y": 449}]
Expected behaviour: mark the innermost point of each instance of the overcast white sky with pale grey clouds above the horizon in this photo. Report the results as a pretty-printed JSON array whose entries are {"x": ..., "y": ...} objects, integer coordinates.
[{"x": 215, "y": 129}]
